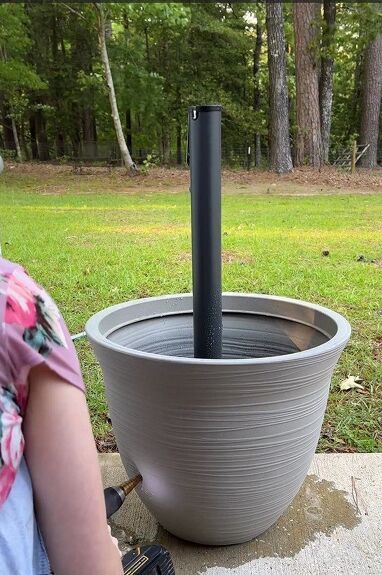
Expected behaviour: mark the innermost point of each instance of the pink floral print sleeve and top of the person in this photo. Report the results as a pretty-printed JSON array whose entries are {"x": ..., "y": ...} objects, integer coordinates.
[{"x": 32, "y": 331}]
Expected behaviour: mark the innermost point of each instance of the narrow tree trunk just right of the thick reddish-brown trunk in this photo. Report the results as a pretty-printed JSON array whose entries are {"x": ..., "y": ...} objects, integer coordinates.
[{"x": 326, "y": 78}]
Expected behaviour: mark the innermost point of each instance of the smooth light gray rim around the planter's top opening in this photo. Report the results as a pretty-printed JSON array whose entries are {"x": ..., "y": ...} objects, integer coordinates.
[{"x": 338, "y": 340}]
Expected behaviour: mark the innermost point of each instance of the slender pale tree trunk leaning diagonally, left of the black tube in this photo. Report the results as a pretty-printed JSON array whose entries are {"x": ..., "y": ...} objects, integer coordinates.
[{"x": 126, "y": 157}]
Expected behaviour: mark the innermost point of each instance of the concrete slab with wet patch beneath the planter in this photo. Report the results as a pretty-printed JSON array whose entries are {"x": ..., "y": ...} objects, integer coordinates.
[{"x": 333, "y": 527}]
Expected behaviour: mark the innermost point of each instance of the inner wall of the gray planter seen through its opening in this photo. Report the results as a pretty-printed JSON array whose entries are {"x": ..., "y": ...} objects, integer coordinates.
[{"x": 245, "y": 335}]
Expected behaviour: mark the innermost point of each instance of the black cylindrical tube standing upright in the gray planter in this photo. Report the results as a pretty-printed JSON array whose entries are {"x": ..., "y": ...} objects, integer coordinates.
[{"x": 204, "y": 148}]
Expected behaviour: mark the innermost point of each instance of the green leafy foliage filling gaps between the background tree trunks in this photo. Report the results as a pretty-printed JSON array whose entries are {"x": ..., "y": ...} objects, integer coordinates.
[{"x": 164, "y": 58}]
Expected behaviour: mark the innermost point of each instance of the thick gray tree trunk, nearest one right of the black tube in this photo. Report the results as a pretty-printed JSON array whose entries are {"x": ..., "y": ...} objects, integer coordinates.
[{"x": 279, "y": 158}]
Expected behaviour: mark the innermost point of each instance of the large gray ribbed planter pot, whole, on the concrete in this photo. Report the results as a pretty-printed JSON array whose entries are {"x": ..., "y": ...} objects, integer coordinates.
[{"x": 223, "y": 445}]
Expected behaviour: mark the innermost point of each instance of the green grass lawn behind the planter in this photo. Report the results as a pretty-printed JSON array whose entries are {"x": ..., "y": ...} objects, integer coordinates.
[{"x": 92, "y": 247}]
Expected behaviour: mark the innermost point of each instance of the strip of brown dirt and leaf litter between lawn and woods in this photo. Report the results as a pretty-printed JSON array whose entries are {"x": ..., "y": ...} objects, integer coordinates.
[{"x": 301, "y": 181}]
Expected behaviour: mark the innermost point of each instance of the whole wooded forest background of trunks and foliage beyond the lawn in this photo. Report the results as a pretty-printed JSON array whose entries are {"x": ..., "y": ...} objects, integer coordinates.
[{"x": 297, "y": 82}]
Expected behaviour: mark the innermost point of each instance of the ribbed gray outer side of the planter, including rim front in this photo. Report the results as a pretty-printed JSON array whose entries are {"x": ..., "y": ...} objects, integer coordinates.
[{"x": 222, "y": 446}]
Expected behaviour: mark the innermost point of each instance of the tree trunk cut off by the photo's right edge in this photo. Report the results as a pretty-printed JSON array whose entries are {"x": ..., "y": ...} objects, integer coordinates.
[{"x": 371, "y": 101}]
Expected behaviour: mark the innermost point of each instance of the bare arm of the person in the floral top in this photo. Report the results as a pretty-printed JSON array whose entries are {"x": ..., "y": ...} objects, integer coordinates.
[{"x": 63, "y": 464}]
